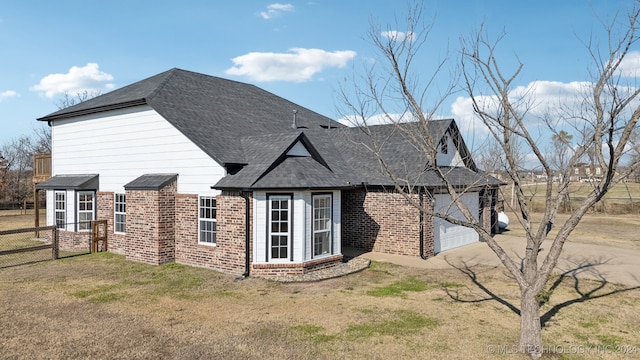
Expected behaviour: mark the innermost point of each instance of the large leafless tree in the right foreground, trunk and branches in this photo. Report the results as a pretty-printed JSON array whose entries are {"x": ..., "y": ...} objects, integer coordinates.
[{"x": 605, "y": 122}]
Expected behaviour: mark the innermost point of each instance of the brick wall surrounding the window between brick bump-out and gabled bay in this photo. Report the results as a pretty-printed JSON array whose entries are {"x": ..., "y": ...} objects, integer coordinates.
[{"x": 228, "y": 255}]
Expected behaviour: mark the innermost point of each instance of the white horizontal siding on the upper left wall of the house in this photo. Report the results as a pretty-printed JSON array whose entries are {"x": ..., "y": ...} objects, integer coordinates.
[{"x": 128, "y": 143}]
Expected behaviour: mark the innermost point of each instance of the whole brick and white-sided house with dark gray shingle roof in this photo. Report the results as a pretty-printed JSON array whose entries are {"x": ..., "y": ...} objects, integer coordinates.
[{"x": 215, "y": 173}]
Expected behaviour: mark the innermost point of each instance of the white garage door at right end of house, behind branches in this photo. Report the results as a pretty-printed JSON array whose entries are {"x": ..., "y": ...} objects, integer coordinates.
[{"x": 447, "y": 235}]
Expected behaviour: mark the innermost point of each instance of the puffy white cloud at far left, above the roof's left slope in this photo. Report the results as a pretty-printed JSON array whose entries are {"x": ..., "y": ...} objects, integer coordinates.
[{"x": 78, "y": 79}]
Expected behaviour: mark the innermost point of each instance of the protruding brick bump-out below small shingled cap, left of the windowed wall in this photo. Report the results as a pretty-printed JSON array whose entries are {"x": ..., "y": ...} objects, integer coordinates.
[{"x": 150, "y": 225}]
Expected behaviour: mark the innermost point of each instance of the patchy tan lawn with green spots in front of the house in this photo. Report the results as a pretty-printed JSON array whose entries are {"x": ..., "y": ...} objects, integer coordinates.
[{"x": 102, "y": 306}]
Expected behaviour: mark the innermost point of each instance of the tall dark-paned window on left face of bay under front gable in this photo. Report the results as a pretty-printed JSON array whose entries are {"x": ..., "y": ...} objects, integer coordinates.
[{"x": 279, "y": 226}]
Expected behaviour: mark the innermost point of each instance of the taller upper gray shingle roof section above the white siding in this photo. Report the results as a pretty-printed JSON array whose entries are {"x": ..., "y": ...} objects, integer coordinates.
[{"x": 212, "y": 112}]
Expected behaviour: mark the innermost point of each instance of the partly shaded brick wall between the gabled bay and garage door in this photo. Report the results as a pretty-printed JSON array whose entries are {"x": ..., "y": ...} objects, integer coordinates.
[{"x": 383, "y": 221}]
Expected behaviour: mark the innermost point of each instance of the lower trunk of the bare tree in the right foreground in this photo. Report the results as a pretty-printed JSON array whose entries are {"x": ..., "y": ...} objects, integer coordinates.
[{"x": 530, "y": 330}]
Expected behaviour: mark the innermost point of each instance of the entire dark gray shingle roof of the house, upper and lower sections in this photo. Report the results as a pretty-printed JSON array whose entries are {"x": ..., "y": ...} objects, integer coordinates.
[{"x": 242, "y": 125}]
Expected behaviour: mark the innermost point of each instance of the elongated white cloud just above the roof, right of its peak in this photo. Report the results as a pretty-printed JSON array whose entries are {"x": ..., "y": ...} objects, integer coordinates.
[{"x": 298, "y": 65}]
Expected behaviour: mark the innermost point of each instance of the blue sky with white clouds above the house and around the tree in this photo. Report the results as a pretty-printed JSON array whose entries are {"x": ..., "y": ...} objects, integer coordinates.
[{"x": 300, "y": 50}]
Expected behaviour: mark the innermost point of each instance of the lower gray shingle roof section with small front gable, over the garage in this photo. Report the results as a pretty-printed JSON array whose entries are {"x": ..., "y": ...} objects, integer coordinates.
[{"x": 349, "y": 161}]
